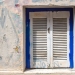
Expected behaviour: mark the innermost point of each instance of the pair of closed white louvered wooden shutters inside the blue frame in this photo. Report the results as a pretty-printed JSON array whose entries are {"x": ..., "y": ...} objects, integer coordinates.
[{"x": 49, "y": 39}]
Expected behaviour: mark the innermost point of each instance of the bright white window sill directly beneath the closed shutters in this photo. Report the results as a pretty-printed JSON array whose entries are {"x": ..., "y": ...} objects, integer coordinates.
[{"x": 50, "y": 71}]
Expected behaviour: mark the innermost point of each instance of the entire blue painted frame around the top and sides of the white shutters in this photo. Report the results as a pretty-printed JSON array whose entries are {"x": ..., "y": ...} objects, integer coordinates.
[{"x": 28, "y": 32}]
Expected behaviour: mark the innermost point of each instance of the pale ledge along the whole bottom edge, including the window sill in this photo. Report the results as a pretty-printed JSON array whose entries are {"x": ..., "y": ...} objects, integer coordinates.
[{"x": 40, "y": 72}]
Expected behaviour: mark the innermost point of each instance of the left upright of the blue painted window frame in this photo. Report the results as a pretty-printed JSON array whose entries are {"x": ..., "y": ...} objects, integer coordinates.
[{"x": 27, "y": 40}]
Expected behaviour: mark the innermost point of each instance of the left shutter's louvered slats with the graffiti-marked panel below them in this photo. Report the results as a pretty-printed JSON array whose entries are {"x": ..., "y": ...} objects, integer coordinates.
[{"x": 39, "y": 42}]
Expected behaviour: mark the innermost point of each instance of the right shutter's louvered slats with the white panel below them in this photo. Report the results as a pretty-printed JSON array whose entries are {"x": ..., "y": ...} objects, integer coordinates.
[{"x": 60, "y": 42}]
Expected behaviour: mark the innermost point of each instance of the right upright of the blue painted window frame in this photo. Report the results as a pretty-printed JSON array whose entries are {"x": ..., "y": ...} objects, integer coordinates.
[{"x": 71, "y": 40}]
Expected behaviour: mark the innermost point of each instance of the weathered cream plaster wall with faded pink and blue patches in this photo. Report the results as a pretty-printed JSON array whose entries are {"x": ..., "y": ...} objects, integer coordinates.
[{"x": 11, "y": 30}]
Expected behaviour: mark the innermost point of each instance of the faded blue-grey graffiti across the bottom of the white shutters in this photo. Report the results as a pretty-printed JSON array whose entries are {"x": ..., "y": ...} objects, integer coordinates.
[{"x": 42, "y": 63}]
